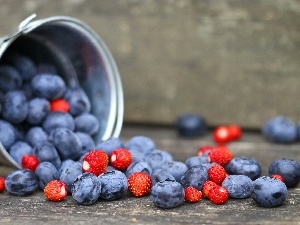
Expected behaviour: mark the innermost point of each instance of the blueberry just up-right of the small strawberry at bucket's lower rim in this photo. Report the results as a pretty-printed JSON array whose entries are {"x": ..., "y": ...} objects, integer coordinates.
[{"x": 46, "y": 152}]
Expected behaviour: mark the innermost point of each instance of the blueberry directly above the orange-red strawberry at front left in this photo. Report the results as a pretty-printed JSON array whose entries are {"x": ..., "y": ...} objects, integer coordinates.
[{"x": 46, "y": 172}]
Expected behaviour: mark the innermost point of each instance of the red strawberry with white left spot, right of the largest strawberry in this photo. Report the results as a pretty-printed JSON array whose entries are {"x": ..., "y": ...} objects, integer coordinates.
[{"x": 120, "y": 158}]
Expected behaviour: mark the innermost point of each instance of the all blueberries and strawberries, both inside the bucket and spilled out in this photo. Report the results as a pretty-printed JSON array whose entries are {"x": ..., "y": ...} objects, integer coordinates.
[{"x": 47, "y": 129}]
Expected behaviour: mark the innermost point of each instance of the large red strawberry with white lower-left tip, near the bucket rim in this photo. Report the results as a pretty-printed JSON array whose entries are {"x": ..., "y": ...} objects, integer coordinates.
[{"x": 95, "y": 161}]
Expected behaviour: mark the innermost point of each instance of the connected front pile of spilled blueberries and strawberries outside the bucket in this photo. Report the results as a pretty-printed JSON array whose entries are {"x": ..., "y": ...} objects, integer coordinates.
[{"x": 112, "y": 171}]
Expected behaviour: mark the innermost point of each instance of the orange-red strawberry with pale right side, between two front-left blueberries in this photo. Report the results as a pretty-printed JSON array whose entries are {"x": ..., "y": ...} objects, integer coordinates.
[{"x": 55, "y": 191}]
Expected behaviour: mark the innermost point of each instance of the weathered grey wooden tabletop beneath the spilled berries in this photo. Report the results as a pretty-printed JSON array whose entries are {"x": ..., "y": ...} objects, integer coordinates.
[{"x": 35, "y": 209}]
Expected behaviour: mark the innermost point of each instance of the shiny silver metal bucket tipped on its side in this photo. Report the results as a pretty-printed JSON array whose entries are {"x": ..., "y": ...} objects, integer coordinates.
[{"x": 81, "y": 57}]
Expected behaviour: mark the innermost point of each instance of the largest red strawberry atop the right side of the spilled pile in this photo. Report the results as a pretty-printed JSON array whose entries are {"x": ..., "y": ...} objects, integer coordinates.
[{"x": 221, "y": 155}]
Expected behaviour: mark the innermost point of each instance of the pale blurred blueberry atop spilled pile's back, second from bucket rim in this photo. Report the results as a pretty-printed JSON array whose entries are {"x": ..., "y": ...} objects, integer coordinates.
[{"x": 141, "y": 144}]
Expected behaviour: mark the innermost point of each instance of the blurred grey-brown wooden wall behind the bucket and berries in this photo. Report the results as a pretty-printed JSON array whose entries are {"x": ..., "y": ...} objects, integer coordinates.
[{"x": 231, "y": 61}]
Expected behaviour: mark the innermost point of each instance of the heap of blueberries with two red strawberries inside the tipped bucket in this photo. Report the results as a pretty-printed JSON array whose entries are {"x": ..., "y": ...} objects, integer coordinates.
[{"x": 41, "y": 118}]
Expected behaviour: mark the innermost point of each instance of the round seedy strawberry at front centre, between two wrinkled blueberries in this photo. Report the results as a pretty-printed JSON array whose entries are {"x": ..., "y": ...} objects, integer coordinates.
[{"x": 139, "y": 184}]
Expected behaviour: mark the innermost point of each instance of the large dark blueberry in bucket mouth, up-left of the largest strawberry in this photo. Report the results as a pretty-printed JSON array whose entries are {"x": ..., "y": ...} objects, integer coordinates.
[{"x": 67, "y": 143}]
